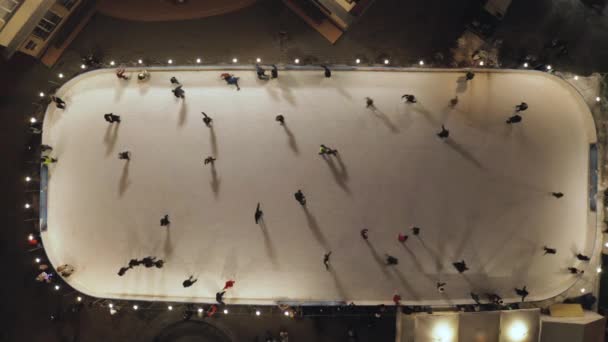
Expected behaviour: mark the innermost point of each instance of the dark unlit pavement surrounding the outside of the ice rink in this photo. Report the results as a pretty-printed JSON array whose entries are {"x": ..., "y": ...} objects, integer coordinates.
[{"x": 402, "y": 30}]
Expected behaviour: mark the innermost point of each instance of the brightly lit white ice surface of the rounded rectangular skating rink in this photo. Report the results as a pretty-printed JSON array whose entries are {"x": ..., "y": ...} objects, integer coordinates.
[{"x": 482, "y": 196}]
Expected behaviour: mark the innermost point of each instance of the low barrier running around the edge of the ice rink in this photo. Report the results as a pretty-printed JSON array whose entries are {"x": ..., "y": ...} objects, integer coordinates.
[{"x": 589, "y": 123}]
